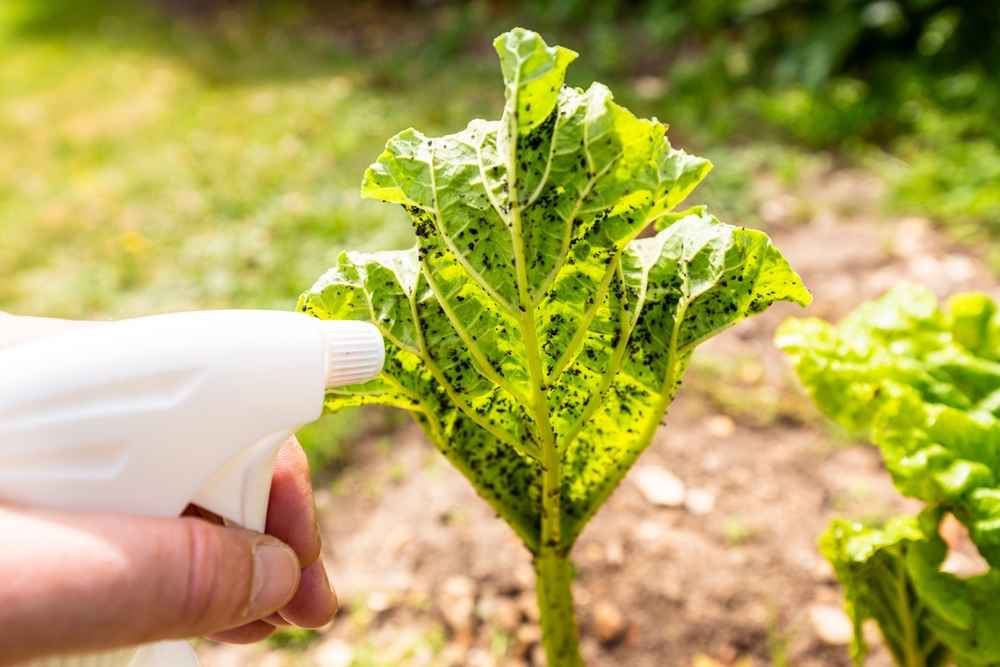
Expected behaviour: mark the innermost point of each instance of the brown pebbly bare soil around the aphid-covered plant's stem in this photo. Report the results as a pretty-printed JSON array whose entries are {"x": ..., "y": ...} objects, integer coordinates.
[{"x": 428, "y": 576}]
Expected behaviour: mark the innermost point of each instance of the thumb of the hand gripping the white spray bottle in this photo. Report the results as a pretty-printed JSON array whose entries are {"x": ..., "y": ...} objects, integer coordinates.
[{"x": 94, "y": 582}]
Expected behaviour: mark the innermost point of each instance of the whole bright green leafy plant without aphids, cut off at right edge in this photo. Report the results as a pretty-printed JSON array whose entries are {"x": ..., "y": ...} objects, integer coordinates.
[{"x": 925, "y": 382}]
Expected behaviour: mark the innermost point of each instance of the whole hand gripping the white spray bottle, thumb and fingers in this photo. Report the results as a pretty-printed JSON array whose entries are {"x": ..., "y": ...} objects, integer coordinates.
[{"x": 76, "y": 583}]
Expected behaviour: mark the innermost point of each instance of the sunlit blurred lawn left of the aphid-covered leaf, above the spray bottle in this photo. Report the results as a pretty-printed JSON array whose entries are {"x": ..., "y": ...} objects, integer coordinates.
[{"x": 149, "y": 166}]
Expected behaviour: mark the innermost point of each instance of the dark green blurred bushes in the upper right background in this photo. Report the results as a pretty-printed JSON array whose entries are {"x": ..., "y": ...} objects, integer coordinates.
[{"x": 913, "y": 83}]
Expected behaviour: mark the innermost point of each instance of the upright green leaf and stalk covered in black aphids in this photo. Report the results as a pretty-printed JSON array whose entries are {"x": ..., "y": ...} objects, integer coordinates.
[{"x": 535, "y": 339}]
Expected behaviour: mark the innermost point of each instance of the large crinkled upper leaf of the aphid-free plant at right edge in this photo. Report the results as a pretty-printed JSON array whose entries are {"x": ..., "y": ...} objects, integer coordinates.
[{"x": 924, "y": 379}]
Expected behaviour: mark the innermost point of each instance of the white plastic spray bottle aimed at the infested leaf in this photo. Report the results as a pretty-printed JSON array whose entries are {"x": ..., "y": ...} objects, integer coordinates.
[{"x": 145, "y": 416}]
